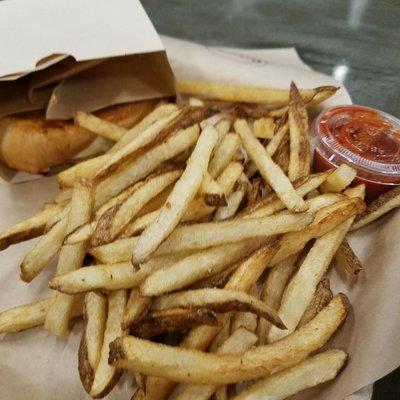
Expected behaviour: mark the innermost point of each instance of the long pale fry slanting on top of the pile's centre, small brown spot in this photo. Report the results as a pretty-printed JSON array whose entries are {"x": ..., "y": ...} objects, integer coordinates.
[{"x": 183, "y": 193}]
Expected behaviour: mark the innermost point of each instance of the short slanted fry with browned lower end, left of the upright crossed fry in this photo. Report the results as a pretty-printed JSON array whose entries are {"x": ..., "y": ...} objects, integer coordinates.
[{"x": 43, "y": 251}]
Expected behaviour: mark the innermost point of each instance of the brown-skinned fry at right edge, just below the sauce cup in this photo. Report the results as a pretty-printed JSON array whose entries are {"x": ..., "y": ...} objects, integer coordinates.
[{"x": 378, "y": 207}]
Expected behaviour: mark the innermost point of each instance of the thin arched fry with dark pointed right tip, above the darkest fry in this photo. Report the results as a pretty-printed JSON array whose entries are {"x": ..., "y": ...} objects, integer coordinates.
[{"x": 218, "y": 300}]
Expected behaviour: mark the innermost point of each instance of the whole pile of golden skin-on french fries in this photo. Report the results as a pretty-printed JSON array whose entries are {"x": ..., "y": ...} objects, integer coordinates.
[{"x": 196, "y": 249}]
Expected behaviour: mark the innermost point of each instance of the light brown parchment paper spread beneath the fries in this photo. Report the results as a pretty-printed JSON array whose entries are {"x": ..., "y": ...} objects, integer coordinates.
[{"x": 36, "y": 365}]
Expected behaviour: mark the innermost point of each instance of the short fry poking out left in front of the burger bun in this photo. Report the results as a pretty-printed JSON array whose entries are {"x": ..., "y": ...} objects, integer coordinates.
[{"x": 99, "y": 126}]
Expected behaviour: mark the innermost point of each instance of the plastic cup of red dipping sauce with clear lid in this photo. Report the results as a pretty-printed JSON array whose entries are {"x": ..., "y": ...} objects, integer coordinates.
[{"x": 366, "y": 139}]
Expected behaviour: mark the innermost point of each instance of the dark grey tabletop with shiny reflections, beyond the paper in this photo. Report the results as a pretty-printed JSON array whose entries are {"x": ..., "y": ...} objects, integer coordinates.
[{"x": 356, "y": 41}]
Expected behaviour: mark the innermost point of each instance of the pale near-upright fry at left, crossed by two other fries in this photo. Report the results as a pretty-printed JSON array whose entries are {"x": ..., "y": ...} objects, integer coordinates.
[{"x": 71, "y": 257}]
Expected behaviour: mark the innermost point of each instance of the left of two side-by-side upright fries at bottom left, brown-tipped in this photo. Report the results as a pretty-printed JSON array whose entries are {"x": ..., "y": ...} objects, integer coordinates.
[{"x": 95, "y": 314}]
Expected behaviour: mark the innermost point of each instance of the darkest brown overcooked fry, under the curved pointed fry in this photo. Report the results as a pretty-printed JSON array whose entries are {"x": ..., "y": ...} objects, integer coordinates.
[{"x": 172, "y": 320}]
